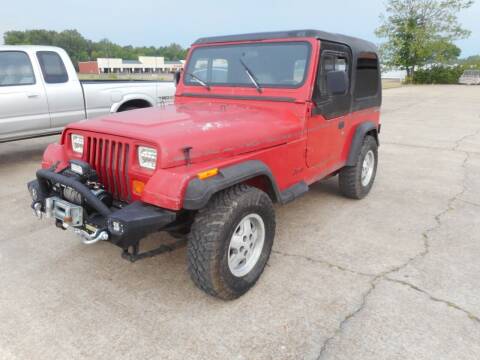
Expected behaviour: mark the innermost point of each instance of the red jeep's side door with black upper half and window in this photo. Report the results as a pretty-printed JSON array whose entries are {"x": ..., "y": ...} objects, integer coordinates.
[{"x": 326, "y": 125}]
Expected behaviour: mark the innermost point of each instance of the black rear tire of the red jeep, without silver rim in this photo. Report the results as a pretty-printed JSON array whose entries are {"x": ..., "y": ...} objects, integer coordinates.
[{"x": 350, "y": 177}]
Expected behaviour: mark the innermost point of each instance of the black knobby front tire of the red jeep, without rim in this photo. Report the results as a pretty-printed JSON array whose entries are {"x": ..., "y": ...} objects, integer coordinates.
[{"x": 209, "y": 239}]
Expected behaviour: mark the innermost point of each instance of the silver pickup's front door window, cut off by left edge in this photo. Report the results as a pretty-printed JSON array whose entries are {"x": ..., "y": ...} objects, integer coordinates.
[{"x": 15, "y": 69}]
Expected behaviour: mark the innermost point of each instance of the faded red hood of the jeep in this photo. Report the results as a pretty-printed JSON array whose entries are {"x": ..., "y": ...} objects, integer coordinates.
[{"x": 211, "y": 130}]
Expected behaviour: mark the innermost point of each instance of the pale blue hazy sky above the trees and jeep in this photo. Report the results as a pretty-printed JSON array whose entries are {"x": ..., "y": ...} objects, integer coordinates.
[{"x": 156, "y": 22}]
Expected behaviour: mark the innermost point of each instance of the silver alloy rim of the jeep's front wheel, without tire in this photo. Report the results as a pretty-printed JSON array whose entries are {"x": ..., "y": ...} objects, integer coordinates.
[{"x": 246, "y": 245}]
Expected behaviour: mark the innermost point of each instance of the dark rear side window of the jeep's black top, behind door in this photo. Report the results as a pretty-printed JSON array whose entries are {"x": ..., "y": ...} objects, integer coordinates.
[{"x": 367, "y": 81}]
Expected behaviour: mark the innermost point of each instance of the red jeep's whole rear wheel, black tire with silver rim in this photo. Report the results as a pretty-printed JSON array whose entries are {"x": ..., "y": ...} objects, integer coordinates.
[{"x": 356, "y": 181}]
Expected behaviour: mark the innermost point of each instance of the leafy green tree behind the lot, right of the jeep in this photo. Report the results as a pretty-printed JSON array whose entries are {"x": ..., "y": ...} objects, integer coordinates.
[{"x": 419, "y": 32}]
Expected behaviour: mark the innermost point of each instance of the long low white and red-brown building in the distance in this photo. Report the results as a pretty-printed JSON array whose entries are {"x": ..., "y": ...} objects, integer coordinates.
[{"x": 144, "y": 64}]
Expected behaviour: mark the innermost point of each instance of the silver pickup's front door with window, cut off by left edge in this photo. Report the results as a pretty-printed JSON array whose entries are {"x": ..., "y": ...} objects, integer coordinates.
[{"x": 23, "y": 103}]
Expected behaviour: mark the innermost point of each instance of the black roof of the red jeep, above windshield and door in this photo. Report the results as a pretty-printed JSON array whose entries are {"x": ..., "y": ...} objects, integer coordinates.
[{"x": 357, "y": 45}]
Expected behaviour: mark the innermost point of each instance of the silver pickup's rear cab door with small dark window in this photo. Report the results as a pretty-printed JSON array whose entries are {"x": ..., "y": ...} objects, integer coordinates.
[{"x": 64, "y": 91}]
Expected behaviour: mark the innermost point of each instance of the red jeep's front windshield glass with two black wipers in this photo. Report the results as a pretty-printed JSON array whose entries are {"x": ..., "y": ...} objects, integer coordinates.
[{"x": 276, "y": 64}]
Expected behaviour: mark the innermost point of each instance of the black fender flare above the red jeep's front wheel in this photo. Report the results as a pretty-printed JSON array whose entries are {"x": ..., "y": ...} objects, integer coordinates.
[{"x": 199, "y": 192}]
